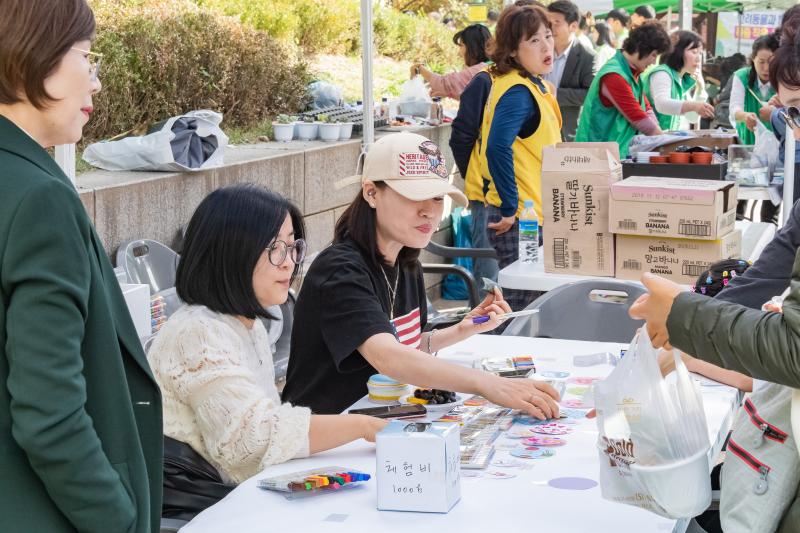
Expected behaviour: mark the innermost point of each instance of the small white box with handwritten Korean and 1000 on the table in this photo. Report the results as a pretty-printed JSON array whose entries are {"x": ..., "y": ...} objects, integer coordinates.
[{"x": 418, "y": 466}]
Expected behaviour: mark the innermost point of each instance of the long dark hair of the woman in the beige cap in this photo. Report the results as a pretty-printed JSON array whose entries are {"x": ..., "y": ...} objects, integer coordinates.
[{"x": 359, "y": 224}]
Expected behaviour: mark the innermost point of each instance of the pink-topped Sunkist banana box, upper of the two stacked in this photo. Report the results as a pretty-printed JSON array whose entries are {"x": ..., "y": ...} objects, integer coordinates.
[{"x": 673, "y": 207}]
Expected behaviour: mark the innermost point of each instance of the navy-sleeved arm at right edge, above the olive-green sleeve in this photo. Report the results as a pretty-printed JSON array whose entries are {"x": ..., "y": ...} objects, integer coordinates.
[{"x": 772, "y": 271}]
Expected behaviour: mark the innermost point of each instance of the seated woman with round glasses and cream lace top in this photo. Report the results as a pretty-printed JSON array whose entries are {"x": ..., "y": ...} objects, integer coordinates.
[{"x": 243, "y": 247}]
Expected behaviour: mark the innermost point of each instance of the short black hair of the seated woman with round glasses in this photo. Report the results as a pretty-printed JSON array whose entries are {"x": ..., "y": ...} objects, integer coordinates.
[{"x": 226, "y": 236}]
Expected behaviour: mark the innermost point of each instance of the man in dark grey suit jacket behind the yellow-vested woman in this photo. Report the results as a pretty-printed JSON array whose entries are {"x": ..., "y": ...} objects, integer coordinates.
[{"x": 573, "y": 64}]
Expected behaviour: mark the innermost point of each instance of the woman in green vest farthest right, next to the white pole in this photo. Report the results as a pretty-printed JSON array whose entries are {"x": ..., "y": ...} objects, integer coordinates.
[{"x": 751, "y": 90}]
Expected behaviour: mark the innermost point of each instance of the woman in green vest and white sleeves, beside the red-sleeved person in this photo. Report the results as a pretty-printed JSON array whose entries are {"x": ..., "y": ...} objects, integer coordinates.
[{"x": 672, "y": 87}]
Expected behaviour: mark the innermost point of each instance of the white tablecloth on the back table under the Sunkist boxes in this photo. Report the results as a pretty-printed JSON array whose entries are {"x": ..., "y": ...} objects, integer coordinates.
[{"x": 755, "y": 236}]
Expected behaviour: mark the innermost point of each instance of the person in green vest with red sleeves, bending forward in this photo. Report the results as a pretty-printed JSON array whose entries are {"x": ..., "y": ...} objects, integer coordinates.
[{"x": 616, "y": 107}]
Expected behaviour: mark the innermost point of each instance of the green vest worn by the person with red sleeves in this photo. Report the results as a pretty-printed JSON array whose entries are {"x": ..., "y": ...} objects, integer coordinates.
[{"x": 598, "y": 123}]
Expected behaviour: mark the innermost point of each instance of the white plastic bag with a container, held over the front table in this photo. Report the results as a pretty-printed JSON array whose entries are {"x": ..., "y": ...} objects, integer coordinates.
[{"x": 653, "y": 441}]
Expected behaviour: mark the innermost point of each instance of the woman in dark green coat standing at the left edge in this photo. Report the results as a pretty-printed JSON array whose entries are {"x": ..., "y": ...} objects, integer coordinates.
[{"x": 80, "y": 414}]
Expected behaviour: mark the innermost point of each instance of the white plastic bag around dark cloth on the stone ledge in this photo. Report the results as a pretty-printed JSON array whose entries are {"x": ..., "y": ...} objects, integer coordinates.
[{"x": 155, "y": 150}]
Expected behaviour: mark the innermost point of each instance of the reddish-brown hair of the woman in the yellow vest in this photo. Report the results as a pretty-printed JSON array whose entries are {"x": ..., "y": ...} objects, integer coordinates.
[{"x": 516, "y": 24}]
